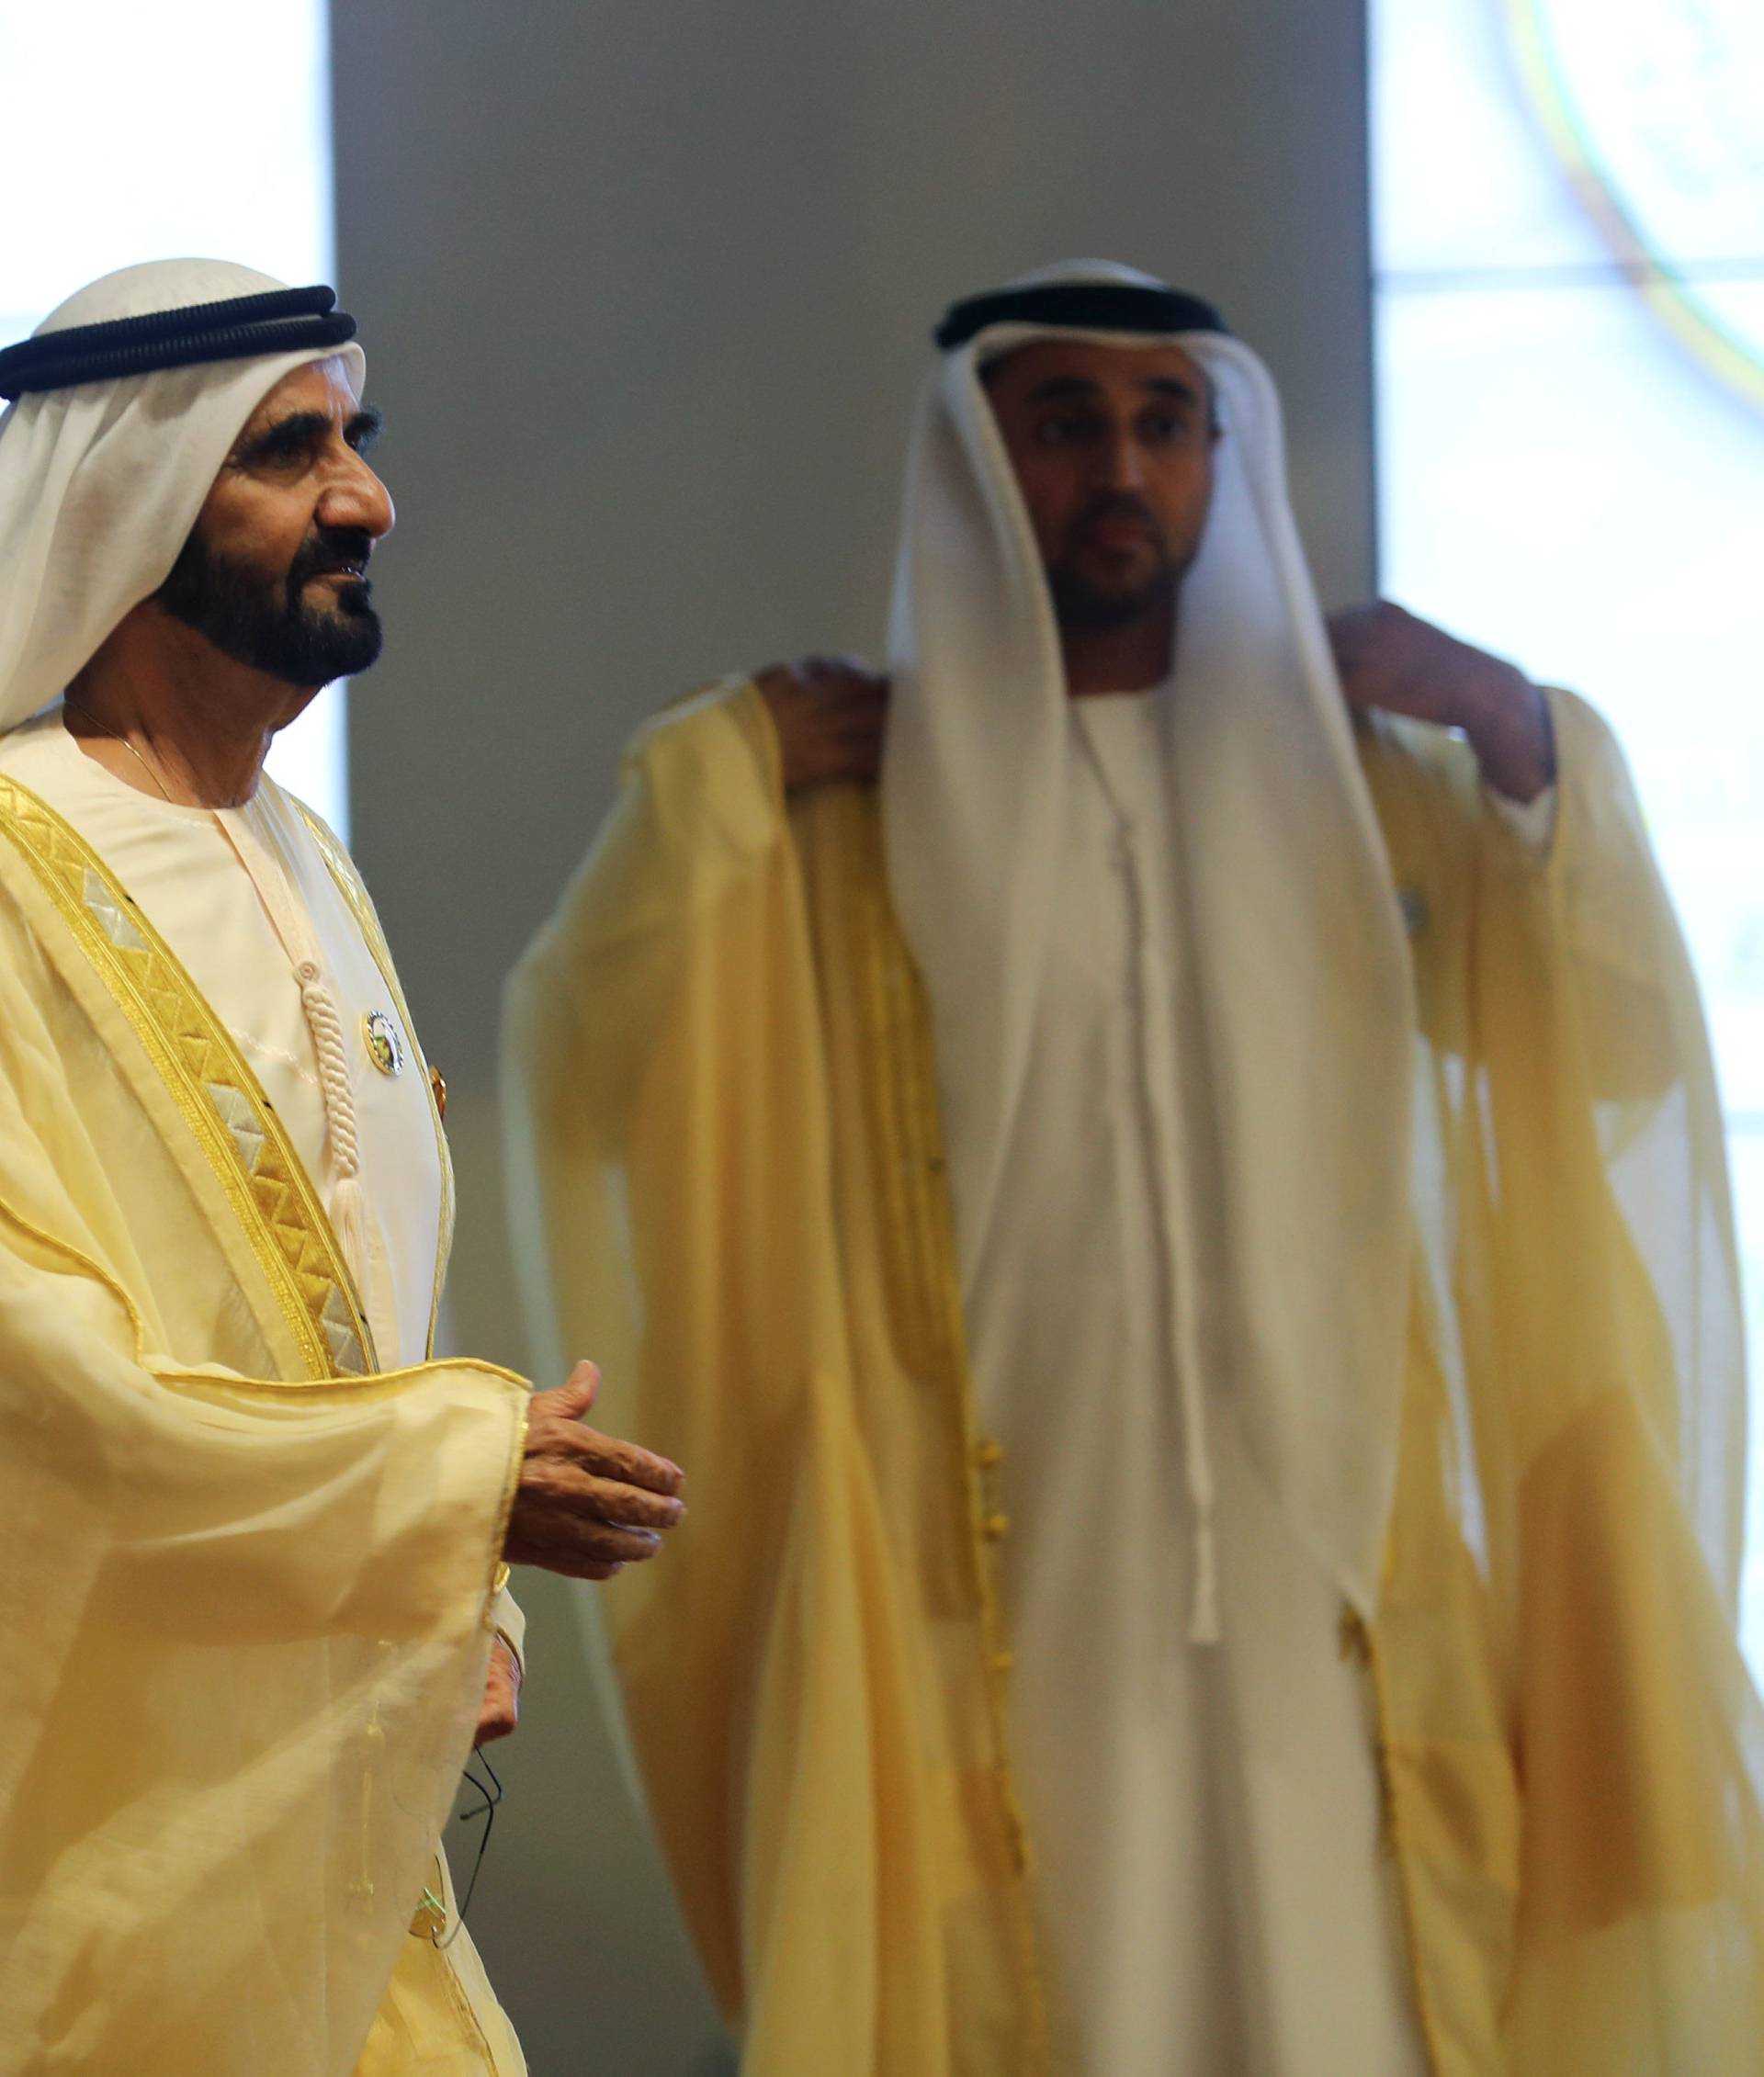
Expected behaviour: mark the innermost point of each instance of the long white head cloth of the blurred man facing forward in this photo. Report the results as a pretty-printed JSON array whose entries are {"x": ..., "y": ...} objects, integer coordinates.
[{"x": 1285, "y": 890}]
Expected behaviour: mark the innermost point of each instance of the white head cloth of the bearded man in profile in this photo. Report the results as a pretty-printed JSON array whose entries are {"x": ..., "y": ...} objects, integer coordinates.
[{"x": 101, "y": 481}]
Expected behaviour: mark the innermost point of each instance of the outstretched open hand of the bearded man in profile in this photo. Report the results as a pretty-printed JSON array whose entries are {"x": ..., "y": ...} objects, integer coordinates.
[{"x": 587, "y": 1505}]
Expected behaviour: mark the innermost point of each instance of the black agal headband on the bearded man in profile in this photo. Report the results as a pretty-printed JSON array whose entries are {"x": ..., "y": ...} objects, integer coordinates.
[{"x": 282, "y": 321}]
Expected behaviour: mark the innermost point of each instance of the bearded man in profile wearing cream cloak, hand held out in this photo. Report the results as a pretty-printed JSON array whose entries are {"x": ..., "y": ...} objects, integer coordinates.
[{"x": 257, "y": 1532}]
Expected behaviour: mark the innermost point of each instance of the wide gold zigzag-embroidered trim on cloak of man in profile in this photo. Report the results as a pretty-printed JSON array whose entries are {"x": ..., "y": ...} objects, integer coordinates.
[{"x": 211, "y": 1083}]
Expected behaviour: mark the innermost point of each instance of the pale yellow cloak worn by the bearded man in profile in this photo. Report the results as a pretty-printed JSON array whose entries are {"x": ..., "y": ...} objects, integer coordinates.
[{"x": 250, "y": 1573}]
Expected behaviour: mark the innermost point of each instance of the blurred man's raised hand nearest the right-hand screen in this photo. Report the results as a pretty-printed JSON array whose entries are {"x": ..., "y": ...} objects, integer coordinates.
[{"x": 1393, "y": 662}]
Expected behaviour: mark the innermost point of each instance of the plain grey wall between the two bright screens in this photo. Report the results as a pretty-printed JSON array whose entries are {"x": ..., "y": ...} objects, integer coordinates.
[{"x": 645, "y": 290}]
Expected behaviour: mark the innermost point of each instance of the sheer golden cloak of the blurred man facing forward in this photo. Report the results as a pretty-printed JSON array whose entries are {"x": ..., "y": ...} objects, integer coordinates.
[{"x": 730, "y": 1185}]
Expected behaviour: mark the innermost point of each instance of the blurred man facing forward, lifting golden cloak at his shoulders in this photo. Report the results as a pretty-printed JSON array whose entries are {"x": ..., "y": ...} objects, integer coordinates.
[{"x": 1102, "y": 1143}]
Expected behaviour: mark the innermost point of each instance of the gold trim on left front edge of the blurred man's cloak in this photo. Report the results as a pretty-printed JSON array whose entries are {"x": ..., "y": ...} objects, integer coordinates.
[{"x": 926, "y": 1301}]
